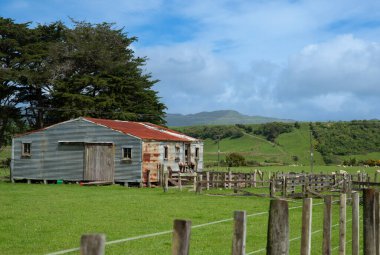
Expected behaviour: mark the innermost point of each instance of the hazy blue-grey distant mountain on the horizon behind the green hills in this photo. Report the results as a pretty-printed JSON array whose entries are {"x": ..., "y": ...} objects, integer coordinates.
[{"x": 224, "y": 117}]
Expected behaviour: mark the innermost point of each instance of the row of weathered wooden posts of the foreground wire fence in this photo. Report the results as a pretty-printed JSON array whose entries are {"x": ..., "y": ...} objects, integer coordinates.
[{"x": 278, "y": 229}]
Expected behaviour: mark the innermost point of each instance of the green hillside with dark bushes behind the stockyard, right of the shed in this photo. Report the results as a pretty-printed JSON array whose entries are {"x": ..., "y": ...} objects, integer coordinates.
[{"x": 289, "y": 144}]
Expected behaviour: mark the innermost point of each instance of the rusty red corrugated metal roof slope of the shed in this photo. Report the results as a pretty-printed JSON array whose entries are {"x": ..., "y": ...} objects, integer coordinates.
[{"x": 143, "y": 130}]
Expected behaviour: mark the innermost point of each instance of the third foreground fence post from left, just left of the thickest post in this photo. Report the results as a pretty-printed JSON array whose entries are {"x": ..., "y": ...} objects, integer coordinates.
[{"x": 239, "y": 237}]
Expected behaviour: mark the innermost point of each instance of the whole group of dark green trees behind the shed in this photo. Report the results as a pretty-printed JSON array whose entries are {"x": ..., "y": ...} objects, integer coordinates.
[{"x": 50, "y": 73}]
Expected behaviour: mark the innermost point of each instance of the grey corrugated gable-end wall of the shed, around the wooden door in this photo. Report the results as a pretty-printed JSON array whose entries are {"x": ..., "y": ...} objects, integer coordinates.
[{"x": 57, "y": 152}]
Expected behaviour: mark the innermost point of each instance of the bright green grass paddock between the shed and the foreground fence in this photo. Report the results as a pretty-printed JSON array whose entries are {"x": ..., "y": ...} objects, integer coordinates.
[{"x": 38, "y": 219}]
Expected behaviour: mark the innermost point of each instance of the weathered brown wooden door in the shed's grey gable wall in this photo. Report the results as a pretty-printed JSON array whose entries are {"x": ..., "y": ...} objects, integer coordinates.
[{"x": 99, "y": 162}]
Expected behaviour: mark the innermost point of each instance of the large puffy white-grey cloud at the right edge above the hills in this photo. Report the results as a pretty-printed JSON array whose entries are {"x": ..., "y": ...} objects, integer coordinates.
[{"x": 335, "y": 79}]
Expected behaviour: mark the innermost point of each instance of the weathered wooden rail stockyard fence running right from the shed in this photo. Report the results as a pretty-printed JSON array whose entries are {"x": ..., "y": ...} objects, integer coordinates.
[{"x": 279, "y": 184}]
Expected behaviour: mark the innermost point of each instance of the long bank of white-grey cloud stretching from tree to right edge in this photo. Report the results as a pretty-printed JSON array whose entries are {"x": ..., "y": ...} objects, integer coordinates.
[{"x": 331, "y": 80}]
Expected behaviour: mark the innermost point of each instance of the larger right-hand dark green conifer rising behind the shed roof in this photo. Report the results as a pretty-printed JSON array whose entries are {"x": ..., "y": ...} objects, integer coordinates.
[{"x": 98, "y": 75}]
